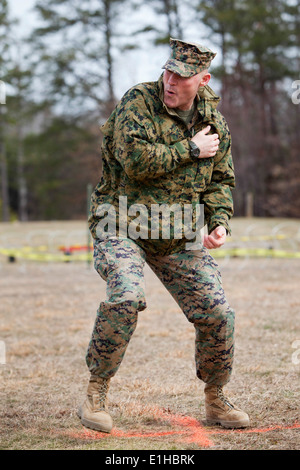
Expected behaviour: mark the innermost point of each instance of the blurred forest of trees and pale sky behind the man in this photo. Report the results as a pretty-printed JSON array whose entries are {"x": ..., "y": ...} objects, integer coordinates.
[{"x": 60, "y": 84}]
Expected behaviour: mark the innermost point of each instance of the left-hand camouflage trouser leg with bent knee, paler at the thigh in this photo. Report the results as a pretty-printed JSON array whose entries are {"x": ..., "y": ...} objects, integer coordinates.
[{"x": 120, "y": 262}]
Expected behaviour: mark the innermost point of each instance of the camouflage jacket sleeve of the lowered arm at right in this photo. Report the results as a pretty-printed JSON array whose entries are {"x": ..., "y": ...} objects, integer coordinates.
[{"x": 217, "y": 198}]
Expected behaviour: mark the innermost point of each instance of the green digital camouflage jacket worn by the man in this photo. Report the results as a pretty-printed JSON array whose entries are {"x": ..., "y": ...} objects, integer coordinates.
[{"x": 146, "y": 157}]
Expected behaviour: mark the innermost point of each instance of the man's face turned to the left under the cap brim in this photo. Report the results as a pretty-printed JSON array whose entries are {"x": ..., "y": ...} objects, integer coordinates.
[{"x": 180, "y": 92}]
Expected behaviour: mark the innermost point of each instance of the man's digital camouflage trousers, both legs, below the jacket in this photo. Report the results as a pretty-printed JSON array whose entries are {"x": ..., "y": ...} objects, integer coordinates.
[{"x": 194, "y": 281}]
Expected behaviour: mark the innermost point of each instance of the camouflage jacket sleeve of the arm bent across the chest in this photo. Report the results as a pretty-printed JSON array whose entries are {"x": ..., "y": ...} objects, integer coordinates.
[{"x": 141, "y": 152}]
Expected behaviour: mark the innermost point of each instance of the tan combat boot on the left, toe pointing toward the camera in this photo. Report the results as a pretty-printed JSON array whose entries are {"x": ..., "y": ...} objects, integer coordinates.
[{"x": 93, "y": 413}]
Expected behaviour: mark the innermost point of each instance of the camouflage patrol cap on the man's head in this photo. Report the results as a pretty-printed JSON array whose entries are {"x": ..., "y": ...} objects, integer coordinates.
[{"x": 188, "y": 58}]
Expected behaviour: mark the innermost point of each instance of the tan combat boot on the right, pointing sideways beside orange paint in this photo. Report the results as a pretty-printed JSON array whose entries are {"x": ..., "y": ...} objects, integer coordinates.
[{"x": 220, "y": 411}]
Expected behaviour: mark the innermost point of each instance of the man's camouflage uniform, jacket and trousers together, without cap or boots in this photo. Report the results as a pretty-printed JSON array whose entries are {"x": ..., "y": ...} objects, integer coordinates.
[{"x": 146, "y": 158}]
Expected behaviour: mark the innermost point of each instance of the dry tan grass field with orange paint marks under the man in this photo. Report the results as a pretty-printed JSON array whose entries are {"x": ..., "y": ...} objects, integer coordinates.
[{"x": 47, "y": 315}]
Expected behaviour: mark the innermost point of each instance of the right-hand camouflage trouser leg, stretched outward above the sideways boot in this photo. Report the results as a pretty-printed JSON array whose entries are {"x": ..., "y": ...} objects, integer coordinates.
[{"x": 193, "y": 279}]
